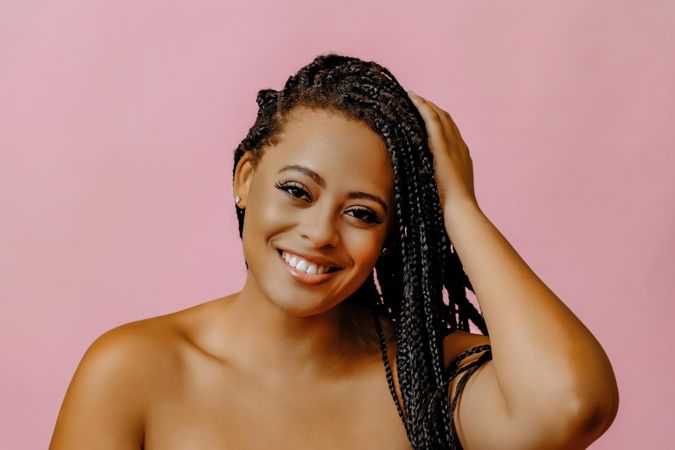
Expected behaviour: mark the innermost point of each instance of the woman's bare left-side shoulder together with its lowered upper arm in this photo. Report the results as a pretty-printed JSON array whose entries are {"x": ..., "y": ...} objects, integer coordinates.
[{"x": 104, "y": 405}]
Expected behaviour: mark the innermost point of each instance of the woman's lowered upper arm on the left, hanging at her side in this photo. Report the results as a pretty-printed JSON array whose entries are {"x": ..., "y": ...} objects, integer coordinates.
[{"x": 104, "y": 405}]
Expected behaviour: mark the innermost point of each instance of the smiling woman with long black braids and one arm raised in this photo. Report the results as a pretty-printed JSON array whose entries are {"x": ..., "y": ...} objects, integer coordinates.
[{"x": 355, "y": 202}]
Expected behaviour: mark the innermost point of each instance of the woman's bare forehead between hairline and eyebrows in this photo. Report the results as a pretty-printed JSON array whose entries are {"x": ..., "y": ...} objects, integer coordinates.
[{"x": 340, "y": 149}]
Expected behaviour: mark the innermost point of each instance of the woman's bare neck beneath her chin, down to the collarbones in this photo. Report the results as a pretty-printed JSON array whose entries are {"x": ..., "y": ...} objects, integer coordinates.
[{"x": 284, "y": 345}]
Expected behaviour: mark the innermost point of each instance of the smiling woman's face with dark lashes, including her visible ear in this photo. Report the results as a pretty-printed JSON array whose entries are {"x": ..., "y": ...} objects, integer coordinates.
[{"x": 320, "y": 199}]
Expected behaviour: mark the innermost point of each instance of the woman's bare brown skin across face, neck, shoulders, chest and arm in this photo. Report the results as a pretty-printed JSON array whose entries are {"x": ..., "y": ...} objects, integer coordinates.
[{"x": 282, "y": 364}]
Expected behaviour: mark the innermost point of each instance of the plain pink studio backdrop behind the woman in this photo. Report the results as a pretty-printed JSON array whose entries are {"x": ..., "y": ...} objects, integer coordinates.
[{"x": 118, "y": 121}]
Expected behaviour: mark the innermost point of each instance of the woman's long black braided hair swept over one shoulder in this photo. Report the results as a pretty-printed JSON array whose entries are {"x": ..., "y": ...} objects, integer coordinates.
[{"x": 407, "y": 284}]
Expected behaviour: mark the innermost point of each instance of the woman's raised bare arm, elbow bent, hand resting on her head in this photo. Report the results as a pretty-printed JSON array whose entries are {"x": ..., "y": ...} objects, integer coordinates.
[{"x": 549, "y": 383}]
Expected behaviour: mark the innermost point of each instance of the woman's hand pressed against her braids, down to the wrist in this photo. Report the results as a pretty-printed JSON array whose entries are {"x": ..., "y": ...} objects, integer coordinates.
[{"x": 453, "y": 168}]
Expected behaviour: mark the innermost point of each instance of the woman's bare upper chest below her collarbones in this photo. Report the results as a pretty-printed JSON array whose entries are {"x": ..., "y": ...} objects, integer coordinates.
[{"x": 213, "y": 407}]
